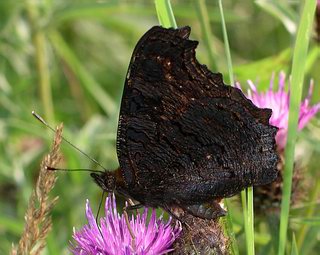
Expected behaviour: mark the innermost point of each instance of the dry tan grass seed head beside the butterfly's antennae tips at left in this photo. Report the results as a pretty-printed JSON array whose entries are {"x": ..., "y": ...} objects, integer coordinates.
[{"x": 37, "y": 218}]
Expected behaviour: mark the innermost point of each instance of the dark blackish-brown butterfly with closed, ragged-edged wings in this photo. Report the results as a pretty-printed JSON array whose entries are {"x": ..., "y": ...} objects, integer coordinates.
[{"x": 185, "y": 138}]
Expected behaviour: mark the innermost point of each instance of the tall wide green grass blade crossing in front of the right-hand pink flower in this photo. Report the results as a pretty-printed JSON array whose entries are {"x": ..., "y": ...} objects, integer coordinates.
[{"x": 298, "y": 67}]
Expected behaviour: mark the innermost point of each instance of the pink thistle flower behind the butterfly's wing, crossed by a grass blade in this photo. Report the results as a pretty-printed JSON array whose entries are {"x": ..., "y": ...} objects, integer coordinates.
[{"x": 278, "y": 101}]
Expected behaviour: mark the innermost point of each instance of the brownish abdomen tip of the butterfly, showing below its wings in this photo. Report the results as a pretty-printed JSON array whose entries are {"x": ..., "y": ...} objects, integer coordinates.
[{"x": 207, "y": 211}]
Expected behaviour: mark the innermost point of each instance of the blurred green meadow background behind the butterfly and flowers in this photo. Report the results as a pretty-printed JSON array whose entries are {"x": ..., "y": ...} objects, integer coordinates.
[{"x": 67, "y": 59}]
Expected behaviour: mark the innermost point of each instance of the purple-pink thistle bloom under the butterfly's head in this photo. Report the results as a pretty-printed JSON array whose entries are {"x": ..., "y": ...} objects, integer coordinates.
[{"x": 112, "y": 235}]
